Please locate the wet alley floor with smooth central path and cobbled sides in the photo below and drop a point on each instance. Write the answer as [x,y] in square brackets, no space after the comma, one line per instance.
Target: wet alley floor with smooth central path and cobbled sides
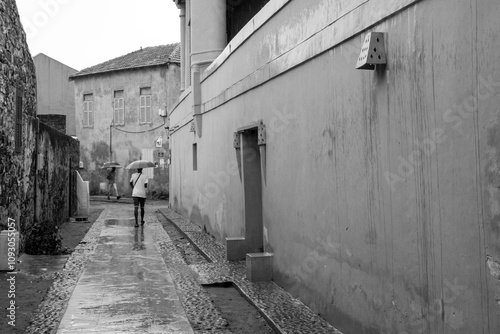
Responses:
[165,277]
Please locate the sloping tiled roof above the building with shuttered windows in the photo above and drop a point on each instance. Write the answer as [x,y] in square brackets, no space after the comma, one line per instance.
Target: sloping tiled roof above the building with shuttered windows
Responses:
[150,56]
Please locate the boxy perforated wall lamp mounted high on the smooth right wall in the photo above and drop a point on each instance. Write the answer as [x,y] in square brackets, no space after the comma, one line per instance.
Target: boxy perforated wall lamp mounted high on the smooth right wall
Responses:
[372,52]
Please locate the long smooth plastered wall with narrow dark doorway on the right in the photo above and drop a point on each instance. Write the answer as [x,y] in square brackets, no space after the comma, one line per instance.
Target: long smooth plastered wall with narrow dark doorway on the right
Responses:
[380,197]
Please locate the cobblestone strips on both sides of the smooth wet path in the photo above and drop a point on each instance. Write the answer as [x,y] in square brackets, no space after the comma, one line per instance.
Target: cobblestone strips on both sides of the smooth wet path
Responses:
[283,312]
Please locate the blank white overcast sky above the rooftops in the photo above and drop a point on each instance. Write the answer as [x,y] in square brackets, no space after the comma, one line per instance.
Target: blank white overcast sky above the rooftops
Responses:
[83,33]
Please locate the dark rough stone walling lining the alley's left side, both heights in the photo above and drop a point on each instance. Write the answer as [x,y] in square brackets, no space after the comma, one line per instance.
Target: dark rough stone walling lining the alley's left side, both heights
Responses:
[37,162]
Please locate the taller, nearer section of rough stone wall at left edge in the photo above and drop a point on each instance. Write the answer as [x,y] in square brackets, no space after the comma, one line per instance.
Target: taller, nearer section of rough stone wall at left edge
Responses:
[17,72]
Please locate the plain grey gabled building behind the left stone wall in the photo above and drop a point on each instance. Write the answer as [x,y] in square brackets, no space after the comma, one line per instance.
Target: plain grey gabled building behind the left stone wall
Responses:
[55,94]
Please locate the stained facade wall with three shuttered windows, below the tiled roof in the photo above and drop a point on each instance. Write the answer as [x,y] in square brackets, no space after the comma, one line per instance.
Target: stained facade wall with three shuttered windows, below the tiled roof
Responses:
[127,146]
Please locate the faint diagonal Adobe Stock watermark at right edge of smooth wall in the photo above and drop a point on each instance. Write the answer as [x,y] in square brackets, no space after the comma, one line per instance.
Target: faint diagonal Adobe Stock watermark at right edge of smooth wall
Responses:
[453,118]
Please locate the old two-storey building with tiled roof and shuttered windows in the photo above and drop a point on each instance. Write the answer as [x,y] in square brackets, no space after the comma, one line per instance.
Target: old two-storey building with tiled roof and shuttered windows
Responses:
[118,105]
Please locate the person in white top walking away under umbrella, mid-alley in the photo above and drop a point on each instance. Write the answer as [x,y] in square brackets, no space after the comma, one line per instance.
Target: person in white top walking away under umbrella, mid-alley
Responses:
[139,184]
